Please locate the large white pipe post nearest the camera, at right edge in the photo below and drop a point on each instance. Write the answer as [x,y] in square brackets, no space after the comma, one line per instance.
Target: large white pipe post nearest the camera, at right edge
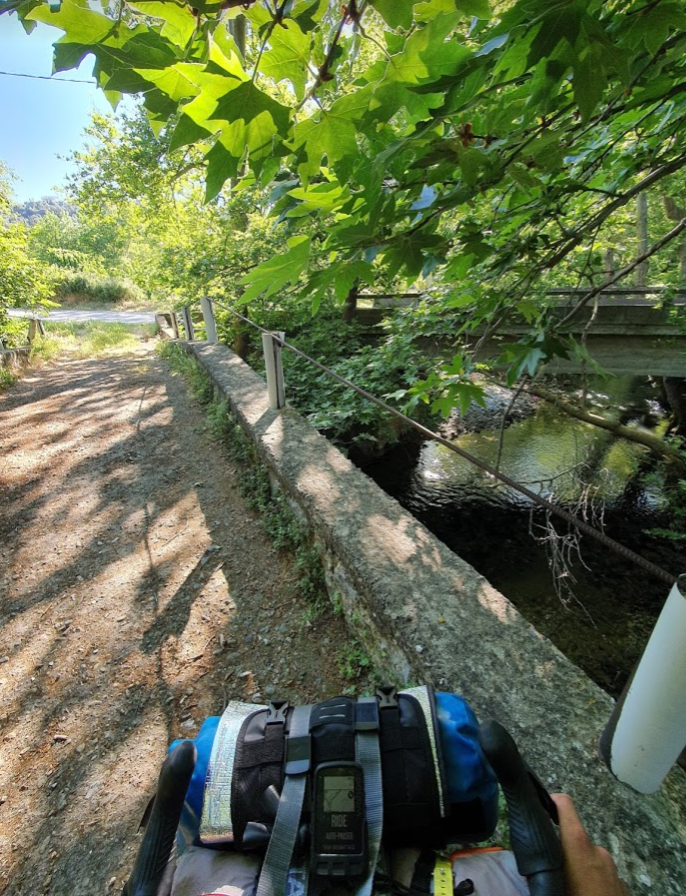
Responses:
[647,730]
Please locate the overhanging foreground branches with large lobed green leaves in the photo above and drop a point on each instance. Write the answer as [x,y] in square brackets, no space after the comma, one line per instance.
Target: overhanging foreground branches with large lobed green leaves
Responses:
[476,145]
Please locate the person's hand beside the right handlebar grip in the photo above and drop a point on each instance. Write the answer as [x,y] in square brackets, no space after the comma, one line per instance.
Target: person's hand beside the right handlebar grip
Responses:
[589,869]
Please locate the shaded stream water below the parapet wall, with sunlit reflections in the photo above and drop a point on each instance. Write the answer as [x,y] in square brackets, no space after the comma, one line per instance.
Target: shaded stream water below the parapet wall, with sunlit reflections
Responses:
[601,610]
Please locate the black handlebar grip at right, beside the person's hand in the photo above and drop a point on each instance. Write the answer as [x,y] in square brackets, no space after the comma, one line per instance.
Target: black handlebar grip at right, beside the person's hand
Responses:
[535,843]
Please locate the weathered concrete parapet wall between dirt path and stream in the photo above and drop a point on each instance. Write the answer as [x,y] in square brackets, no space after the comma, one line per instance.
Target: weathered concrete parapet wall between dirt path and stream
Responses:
[429,616]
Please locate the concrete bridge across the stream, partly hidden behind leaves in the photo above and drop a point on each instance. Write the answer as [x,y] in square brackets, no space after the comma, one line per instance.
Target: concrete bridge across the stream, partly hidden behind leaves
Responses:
[626,330]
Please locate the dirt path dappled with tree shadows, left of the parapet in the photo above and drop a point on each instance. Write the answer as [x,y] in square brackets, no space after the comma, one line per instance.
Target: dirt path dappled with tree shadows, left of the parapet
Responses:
[137,595]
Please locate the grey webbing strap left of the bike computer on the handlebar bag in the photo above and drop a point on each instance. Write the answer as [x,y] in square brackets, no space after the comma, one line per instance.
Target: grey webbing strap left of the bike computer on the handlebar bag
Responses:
[280,850]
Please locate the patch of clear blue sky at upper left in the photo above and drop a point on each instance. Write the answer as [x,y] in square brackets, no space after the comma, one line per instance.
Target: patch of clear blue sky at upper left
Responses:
[40,119]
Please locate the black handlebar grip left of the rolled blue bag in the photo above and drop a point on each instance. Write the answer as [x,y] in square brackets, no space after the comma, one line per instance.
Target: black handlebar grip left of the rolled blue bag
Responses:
[152,861]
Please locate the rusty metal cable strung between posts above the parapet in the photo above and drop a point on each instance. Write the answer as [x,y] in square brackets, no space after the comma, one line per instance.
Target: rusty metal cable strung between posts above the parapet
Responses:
[584,527]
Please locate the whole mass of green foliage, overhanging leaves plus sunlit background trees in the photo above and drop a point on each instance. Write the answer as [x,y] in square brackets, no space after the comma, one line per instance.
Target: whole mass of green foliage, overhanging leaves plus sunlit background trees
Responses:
[289,157]
